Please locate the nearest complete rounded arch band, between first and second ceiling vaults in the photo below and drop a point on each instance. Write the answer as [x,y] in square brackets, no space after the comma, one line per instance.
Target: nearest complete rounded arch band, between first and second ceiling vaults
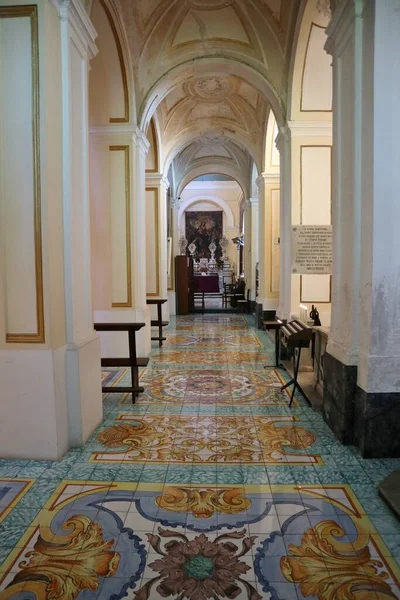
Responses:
[208,66]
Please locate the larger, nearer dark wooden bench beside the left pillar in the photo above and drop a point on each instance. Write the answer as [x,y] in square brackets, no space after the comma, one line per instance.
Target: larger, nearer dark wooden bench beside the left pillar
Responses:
[133,362]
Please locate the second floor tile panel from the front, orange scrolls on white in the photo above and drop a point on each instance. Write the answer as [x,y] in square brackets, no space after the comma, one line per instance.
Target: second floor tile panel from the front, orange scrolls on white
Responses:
[209,439]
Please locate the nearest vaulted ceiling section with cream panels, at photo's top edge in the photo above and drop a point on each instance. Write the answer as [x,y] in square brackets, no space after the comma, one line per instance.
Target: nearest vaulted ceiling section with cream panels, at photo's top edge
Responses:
[164,35]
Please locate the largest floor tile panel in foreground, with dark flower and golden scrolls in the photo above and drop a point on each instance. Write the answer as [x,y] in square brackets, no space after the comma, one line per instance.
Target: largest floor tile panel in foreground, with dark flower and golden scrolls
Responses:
[147,542]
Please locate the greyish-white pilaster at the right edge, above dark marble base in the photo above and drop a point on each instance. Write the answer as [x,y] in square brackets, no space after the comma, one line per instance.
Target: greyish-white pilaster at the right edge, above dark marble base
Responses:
[379,310]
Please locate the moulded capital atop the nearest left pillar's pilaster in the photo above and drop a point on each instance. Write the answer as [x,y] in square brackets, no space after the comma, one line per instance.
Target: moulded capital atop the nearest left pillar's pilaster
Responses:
[74,14]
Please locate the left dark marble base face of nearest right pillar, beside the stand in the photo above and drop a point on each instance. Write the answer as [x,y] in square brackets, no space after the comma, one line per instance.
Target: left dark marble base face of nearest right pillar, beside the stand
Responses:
[339,397]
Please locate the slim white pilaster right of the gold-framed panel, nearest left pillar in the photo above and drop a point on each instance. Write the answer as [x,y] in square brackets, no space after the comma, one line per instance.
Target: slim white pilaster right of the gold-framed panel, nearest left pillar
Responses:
[83,347]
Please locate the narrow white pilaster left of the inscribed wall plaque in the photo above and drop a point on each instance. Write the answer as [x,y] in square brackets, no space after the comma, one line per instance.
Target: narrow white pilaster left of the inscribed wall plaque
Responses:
[284,146]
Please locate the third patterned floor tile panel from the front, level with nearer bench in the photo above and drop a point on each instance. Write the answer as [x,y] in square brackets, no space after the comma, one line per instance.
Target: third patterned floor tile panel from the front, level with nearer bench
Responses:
[214,386]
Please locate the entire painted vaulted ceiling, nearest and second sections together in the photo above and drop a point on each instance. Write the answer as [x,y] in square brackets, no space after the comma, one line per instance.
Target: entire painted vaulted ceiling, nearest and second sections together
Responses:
[210,70]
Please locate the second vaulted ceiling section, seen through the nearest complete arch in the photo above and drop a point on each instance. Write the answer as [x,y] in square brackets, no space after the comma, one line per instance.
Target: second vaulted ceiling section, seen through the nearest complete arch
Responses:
[217,113]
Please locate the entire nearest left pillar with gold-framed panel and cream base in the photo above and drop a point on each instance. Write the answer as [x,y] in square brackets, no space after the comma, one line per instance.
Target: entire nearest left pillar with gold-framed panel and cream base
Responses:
[49,353]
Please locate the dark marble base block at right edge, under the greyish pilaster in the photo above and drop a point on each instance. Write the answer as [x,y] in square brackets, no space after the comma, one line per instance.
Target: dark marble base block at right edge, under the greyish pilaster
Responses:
[377,424]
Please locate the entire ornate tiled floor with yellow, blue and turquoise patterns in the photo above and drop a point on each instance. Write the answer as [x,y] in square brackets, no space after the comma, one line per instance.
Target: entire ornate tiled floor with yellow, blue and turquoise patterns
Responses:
[208,487]
